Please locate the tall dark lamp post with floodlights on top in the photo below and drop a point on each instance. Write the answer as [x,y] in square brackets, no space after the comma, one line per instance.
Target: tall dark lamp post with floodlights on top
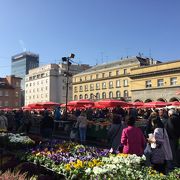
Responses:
[67,74]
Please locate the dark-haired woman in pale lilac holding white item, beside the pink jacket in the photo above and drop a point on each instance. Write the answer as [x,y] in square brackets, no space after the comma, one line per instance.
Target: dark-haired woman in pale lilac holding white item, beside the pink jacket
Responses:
[161,150]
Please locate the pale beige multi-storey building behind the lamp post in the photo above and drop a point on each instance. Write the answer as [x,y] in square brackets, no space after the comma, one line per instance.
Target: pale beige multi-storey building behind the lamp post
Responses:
[48,83]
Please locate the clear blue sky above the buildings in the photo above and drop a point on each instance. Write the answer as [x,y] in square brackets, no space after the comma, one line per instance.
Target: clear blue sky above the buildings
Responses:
[95,31]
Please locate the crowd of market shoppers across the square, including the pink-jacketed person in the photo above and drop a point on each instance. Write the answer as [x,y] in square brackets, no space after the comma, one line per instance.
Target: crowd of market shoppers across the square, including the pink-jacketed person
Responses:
[161,134]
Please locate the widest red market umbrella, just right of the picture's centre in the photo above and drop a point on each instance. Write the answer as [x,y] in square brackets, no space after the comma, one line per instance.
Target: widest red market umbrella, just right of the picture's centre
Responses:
[112,103]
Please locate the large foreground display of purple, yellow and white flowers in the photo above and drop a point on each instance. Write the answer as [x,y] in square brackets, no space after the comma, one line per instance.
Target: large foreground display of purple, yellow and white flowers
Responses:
[76,161]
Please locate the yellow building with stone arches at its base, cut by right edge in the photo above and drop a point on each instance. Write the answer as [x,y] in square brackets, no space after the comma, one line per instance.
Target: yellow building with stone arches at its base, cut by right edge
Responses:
[158,82]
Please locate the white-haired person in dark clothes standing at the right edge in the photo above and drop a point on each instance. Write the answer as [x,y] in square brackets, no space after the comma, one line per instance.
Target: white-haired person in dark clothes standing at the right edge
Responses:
[173,130]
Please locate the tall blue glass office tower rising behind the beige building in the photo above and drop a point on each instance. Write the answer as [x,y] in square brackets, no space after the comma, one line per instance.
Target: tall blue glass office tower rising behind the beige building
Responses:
[20,66]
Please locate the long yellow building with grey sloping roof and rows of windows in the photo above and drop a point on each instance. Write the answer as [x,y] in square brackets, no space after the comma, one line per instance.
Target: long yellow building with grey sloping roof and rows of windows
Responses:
[110,80]
